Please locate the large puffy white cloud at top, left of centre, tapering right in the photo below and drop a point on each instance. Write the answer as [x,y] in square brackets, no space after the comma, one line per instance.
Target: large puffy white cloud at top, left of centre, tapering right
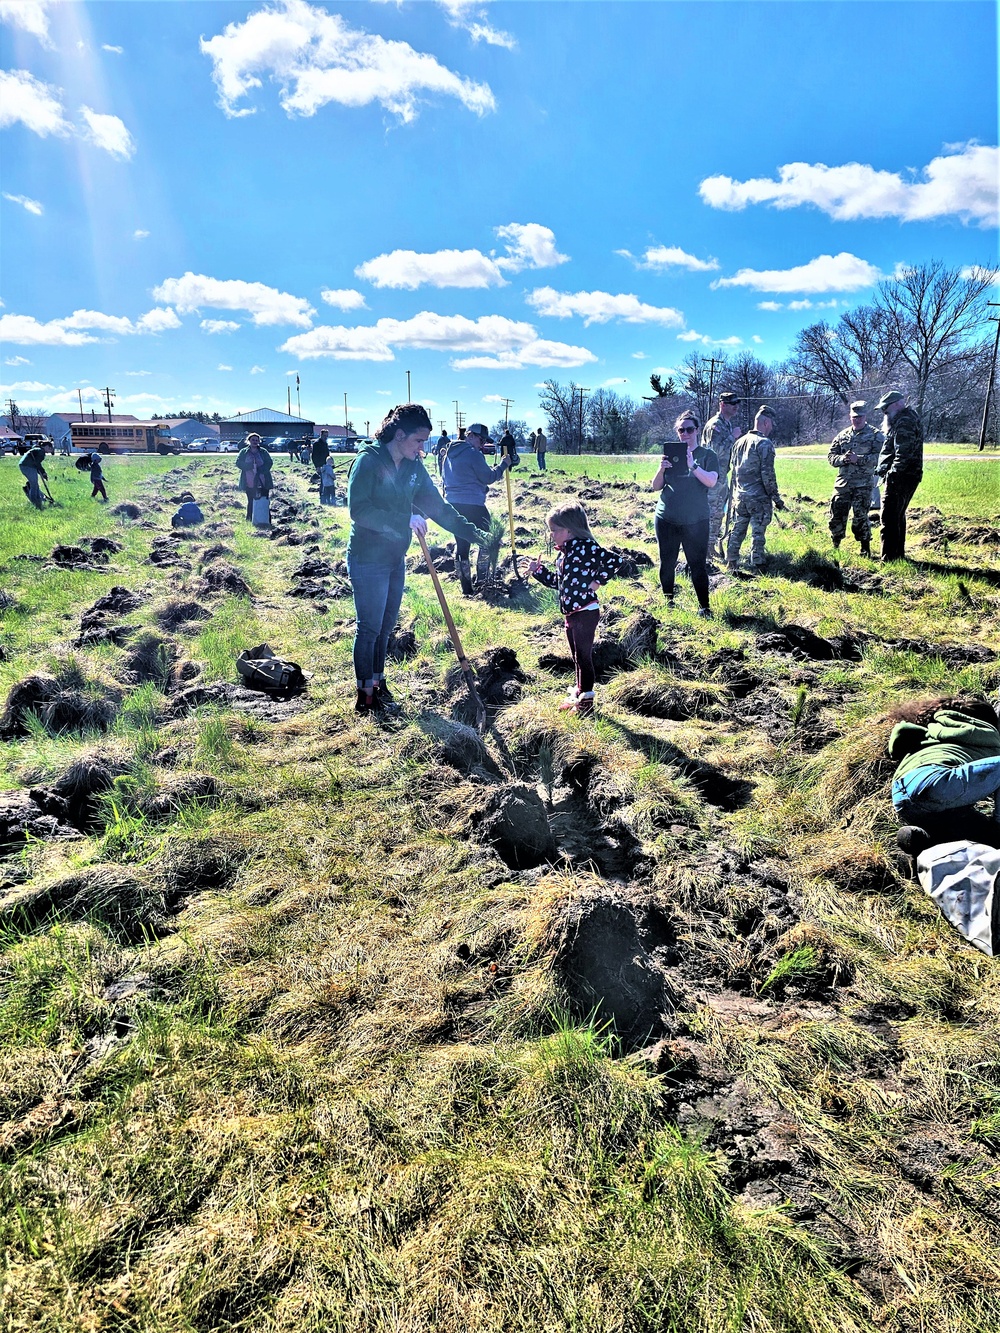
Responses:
[317,58]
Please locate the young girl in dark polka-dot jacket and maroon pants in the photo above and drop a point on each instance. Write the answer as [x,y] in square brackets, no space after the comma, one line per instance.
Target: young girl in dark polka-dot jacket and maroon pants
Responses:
[582,569]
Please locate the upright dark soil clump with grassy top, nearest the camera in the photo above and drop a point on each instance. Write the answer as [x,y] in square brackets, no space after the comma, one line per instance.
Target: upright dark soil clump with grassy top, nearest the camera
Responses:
[610,952]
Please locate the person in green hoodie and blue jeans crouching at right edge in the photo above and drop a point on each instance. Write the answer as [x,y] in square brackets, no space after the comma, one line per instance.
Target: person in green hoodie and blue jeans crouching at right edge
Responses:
[947,755]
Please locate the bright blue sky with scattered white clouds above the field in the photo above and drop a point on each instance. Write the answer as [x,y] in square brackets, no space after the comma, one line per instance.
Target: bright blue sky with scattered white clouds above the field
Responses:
[203,201]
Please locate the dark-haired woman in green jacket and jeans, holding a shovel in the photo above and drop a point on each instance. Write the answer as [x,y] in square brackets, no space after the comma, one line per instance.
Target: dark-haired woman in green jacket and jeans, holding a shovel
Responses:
[387,485]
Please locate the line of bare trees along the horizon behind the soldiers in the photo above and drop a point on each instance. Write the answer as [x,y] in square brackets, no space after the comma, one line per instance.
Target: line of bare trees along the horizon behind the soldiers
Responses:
[927,331]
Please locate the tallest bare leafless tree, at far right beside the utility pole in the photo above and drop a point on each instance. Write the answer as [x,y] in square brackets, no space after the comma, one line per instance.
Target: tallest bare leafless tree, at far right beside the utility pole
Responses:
[937,317]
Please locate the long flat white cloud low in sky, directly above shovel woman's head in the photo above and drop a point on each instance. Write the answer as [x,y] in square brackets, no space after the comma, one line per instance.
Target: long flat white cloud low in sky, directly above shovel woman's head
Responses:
[507,343]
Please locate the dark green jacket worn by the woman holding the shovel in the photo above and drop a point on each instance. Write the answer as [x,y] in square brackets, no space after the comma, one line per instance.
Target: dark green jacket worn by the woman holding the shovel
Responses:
[383,498]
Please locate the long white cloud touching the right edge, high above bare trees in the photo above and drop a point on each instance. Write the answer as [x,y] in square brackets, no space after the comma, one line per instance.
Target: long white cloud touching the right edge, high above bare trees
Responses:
[962,183]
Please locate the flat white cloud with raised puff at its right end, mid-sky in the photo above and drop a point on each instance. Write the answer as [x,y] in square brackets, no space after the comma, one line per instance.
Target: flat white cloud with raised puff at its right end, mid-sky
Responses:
[527,245]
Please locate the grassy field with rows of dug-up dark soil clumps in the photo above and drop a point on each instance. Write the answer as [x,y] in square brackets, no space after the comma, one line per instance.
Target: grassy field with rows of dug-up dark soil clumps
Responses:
[295,1036]
